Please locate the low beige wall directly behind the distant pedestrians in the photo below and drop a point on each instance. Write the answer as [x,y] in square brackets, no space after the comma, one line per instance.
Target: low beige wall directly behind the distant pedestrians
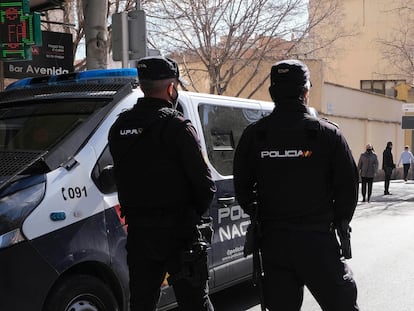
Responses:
[364,117]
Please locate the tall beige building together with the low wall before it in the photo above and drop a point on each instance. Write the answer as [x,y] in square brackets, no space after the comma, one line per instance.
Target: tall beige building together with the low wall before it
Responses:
[361,65]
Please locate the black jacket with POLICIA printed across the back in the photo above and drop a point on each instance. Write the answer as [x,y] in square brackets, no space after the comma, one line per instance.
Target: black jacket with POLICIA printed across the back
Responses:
[301,167]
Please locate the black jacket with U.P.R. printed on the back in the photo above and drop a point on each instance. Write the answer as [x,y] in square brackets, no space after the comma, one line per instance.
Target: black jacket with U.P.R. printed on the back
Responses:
[160,172]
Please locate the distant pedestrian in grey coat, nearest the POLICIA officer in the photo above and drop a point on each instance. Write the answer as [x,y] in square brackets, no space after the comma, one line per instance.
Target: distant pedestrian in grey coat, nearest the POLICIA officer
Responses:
[367,167]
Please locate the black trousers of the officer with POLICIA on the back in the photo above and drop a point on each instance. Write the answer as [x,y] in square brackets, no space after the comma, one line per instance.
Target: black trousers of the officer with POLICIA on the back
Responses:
[293,259]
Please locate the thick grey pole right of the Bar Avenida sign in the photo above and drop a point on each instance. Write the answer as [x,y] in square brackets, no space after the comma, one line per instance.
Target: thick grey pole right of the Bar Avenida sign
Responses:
[96,34]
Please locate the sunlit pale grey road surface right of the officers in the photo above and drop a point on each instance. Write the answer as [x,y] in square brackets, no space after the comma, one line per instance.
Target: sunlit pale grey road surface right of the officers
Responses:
[370,265]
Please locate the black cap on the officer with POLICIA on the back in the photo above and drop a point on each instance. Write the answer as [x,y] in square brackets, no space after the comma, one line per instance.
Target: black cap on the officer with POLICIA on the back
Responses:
[289,72]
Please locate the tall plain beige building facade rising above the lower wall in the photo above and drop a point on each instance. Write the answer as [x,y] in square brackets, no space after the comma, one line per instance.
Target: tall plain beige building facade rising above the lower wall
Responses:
[360,55]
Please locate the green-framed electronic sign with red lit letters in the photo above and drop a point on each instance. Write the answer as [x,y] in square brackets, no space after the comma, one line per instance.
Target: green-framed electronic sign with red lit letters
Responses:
[19,29]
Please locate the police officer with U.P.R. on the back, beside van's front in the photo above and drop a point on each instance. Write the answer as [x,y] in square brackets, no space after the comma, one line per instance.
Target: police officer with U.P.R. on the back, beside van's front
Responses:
[164,187]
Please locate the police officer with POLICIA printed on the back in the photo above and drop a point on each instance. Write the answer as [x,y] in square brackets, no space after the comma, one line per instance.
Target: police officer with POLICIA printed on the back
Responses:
[300,174]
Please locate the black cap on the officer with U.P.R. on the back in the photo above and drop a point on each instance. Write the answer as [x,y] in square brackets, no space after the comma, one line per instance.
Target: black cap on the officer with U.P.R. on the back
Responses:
[157,68]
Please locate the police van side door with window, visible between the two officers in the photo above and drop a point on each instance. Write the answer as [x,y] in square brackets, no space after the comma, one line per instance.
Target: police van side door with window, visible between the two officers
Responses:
[222,122]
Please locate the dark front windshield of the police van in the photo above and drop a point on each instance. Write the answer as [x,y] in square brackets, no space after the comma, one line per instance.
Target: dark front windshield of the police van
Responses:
[41,125]
